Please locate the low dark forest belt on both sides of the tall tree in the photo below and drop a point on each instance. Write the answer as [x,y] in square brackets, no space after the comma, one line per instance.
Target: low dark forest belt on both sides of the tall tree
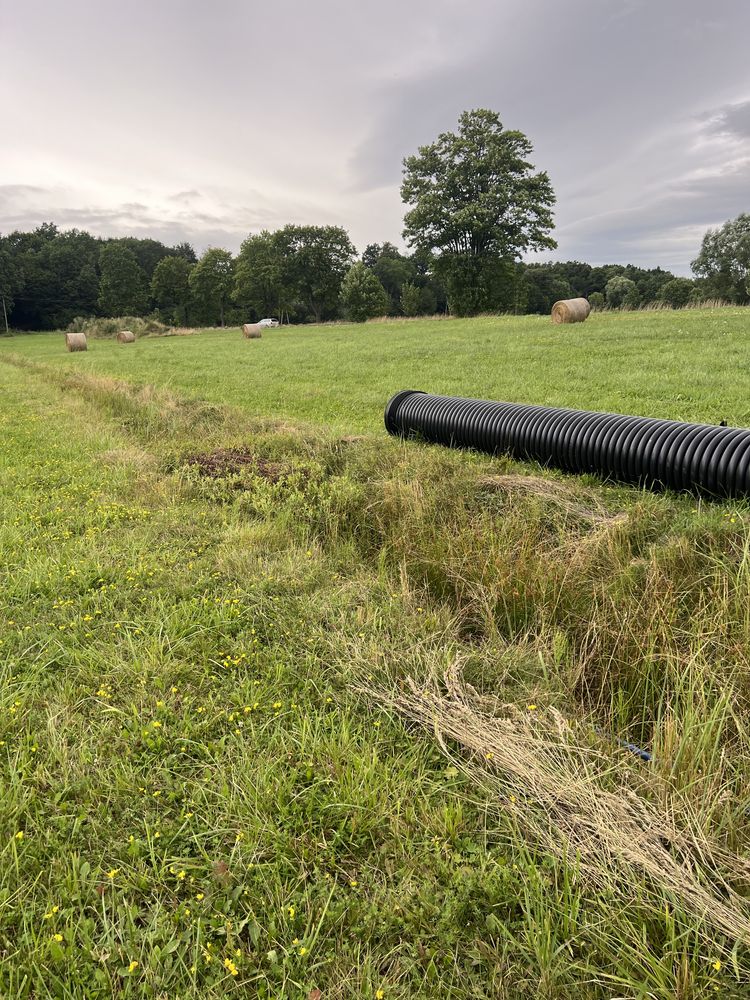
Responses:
[298,274]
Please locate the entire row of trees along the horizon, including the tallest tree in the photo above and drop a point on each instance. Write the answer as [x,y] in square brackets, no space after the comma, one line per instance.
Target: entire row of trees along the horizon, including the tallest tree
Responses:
[475,206]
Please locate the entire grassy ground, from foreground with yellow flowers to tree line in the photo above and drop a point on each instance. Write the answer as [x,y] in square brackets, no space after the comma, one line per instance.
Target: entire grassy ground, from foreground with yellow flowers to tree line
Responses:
[289,707]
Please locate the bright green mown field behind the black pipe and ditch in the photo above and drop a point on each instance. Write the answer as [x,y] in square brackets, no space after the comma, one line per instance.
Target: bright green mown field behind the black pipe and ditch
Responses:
[687,365]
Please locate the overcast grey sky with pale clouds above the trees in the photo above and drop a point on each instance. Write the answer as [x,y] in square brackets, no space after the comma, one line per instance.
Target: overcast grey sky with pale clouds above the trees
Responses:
[182,119]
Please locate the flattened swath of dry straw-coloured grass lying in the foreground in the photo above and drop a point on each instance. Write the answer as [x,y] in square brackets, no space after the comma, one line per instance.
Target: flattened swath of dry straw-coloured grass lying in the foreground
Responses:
[572,799]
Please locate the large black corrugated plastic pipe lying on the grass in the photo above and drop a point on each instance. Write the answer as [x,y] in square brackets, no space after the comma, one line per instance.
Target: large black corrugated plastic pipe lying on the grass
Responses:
[668,453]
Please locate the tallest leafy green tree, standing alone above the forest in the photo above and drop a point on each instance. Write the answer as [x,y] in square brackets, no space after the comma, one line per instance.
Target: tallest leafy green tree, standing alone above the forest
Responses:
[474,197]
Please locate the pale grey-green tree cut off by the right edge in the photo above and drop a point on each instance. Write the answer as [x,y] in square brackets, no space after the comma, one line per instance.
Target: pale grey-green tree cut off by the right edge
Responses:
[724,260]
